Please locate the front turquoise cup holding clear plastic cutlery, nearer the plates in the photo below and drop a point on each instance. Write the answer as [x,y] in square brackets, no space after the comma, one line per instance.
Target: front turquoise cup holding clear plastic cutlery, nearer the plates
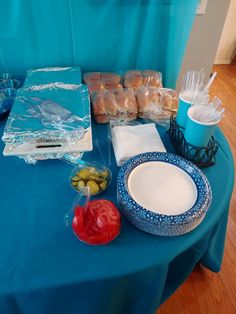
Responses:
[198,133]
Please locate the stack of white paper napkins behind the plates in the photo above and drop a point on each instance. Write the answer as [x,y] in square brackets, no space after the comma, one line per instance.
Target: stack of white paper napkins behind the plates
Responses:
[129,141]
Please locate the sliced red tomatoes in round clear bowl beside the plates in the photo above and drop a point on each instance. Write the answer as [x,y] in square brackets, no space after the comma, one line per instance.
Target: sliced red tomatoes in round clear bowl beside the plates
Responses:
[100,223]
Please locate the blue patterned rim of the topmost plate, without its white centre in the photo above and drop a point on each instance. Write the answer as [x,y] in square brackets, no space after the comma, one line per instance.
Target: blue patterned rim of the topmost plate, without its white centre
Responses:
[200,206]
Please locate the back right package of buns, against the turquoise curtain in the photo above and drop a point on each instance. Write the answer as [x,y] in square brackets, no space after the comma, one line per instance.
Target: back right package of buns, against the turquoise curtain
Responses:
[136,78]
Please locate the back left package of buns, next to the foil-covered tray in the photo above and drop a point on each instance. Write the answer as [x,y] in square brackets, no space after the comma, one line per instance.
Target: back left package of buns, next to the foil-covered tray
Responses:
[98,81]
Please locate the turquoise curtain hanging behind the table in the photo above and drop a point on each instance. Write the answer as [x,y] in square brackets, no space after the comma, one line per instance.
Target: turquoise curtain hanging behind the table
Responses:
[95,34]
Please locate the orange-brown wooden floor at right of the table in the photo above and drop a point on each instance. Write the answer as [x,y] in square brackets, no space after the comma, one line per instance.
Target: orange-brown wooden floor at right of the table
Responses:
[205,292]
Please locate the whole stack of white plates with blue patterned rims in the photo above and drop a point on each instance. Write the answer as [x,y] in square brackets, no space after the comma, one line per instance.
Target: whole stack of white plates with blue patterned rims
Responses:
[163,194]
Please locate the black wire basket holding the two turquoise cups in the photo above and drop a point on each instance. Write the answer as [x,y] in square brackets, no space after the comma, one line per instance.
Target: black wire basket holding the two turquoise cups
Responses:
[200,156]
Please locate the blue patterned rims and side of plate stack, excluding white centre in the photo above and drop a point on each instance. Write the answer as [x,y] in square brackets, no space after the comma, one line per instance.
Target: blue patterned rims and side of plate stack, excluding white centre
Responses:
[160,224]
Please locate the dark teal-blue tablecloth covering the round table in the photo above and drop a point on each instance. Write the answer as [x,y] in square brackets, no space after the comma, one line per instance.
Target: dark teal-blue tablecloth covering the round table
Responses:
[45,269]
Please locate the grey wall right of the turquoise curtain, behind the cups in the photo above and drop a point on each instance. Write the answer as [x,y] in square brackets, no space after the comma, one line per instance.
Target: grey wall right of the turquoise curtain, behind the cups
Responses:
[204,38]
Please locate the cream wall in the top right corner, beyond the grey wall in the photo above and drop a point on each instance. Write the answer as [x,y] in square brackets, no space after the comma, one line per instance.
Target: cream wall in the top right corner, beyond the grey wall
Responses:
[227,46]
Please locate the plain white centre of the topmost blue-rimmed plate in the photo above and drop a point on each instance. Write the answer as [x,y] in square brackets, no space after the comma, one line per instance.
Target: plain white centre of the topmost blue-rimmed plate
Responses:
[162,188]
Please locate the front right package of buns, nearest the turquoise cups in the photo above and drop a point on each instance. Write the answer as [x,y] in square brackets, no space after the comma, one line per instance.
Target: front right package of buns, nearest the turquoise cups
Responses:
[156,104]
